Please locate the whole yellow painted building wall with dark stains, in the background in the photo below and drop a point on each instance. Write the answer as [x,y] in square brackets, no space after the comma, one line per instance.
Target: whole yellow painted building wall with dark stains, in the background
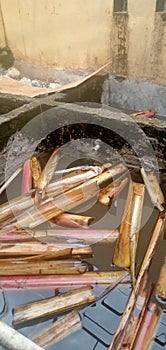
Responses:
[85,34]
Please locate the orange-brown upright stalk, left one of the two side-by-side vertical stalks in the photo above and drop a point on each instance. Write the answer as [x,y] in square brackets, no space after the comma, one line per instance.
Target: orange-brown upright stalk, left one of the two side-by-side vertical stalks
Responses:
[121,256]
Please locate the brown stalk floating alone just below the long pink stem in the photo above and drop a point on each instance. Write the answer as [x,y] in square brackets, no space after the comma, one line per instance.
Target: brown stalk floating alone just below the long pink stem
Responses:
[63,302]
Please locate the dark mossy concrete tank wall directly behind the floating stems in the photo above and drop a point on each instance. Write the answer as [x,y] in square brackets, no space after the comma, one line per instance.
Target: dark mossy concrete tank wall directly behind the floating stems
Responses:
[49,123]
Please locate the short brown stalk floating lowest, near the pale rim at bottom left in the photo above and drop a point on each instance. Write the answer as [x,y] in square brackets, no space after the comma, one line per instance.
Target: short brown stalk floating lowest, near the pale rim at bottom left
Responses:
[60,329]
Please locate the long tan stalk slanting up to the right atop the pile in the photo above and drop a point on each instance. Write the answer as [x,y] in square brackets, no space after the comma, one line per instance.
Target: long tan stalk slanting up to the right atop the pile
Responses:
[68,200]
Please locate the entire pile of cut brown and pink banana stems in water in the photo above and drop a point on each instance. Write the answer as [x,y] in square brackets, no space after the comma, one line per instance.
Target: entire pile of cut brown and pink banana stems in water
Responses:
[31,256]
